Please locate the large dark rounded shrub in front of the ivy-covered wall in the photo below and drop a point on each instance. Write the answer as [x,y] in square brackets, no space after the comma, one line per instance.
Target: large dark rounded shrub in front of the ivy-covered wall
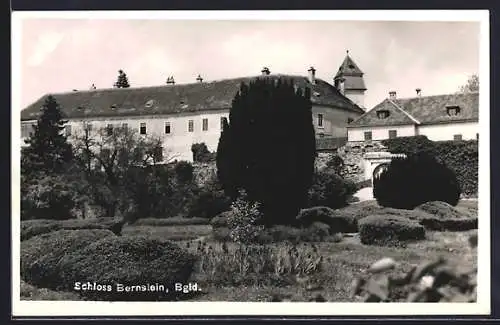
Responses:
[409,182]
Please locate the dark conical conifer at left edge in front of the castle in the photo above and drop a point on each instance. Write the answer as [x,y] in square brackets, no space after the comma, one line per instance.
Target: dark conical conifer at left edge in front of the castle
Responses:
[48,150]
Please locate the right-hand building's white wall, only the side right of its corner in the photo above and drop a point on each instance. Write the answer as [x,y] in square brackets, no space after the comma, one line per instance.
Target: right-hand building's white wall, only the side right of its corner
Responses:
[444,132]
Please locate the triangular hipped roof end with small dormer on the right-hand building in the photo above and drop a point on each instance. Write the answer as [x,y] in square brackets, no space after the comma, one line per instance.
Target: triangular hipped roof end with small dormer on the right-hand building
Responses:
[376,116]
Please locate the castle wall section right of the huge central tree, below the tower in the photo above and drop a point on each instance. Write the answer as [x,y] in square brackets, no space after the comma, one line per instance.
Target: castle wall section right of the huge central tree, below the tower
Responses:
[334,120]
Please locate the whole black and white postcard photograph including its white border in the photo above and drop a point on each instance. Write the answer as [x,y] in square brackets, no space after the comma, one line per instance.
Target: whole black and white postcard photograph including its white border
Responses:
[250,163]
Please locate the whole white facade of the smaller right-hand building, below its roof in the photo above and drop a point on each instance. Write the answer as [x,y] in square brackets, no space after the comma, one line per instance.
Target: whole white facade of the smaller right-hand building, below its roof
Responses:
[434,132]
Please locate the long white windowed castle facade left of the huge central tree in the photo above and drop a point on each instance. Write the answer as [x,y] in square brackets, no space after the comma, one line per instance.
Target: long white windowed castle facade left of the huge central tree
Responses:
[177,143]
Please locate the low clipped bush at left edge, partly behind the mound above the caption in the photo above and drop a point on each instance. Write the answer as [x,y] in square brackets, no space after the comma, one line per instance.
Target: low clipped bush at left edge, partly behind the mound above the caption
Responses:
[40,255]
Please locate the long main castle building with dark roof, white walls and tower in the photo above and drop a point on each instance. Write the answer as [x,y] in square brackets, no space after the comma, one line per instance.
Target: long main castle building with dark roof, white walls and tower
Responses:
[184,114]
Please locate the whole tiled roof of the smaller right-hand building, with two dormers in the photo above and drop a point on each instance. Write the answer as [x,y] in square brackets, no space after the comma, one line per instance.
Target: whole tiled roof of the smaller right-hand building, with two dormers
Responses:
[423,110]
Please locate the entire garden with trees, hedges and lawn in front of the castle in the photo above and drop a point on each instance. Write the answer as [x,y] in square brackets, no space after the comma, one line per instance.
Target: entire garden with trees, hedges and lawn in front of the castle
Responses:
[267,226]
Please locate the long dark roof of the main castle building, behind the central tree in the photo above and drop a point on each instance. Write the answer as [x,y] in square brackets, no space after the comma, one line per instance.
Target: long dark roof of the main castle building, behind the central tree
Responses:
[172,99]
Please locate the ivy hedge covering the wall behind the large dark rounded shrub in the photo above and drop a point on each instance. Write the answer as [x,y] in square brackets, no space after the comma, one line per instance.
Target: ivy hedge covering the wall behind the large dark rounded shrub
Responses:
[460,156]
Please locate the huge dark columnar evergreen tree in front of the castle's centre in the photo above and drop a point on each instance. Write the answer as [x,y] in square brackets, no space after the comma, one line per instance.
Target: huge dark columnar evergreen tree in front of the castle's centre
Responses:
[268,147]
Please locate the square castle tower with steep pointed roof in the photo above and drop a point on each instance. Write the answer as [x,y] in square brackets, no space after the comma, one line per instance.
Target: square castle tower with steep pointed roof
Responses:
[349,81]
